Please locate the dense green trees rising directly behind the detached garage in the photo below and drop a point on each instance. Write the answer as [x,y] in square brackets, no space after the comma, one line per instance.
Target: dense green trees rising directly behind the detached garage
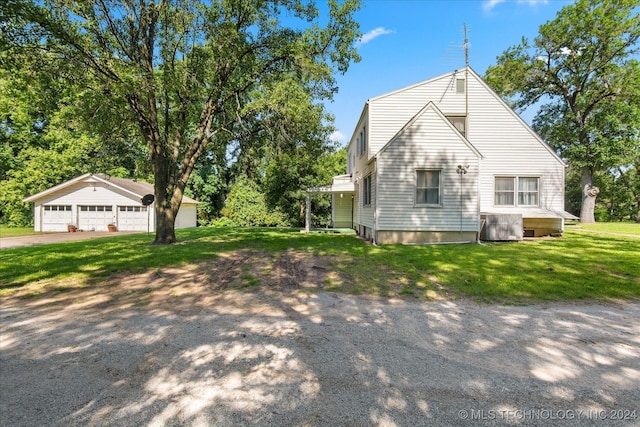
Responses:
[44,139]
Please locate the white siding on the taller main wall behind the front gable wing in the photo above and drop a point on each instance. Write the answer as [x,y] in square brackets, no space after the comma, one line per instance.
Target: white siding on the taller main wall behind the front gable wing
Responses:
[507,145]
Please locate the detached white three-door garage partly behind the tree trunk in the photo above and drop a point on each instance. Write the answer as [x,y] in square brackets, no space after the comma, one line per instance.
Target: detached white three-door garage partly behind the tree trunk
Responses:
[92,201]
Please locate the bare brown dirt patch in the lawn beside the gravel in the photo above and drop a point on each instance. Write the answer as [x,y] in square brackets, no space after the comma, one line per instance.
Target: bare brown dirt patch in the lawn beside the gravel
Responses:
[190,286]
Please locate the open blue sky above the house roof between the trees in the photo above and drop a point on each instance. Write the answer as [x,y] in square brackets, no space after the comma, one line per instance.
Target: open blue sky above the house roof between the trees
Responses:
[408,41]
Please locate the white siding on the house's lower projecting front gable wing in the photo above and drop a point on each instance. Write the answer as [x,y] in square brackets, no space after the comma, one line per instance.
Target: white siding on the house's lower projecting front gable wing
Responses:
[429,144]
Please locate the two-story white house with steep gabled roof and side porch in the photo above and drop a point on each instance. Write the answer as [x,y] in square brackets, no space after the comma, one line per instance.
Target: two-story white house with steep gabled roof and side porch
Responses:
[446,160]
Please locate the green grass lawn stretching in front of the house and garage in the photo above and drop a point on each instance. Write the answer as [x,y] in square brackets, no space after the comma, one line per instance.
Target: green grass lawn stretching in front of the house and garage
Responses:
[577,266]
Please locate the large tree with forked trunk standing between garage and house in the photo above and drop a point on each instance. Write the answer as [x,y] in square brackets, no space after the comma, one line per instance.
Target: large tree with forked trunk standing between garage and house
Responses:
[188,72]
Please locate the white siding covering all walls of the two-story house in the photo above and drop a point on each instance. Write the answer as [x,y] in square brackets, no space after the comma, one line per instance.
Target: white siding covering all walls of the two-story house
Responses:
[508,148]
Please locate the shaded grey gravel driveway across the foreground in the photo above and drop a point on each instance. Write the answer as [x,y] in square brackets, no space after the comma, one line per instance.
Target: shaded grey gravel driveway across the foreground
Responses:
[318,359]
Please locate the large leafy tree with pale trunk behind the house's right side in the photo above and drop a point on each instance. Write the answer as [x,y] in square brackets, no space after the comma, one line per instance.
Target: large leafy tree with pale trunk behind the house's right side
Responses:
[581,68]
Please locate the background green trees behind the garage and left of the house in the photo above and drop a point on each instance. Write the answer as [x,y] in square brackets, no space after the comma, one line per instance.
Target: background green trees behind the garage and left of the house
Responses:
[46,141]
